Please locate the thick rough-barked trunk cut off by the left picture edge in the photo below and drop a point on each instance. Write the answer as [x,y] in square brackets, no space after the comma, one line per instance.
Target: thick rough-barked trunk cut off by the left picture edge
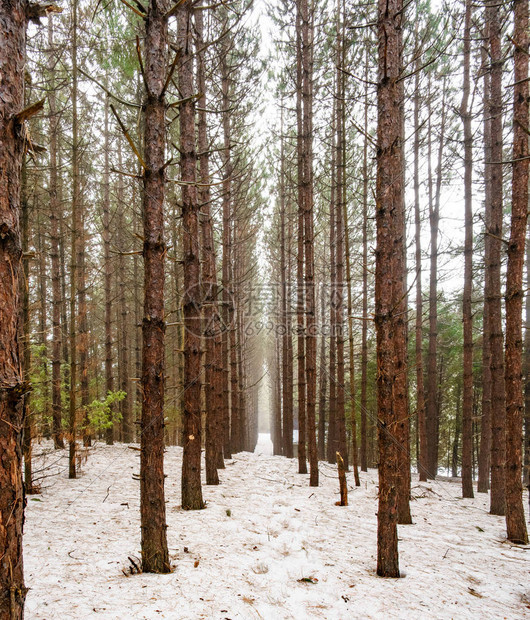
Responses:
[12,388]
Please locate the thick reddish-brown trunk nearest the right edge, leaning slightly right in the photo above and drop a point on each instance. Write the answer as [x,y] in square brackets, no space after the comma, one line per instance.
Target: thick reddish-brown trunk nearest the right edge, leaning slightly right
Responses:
[515,517]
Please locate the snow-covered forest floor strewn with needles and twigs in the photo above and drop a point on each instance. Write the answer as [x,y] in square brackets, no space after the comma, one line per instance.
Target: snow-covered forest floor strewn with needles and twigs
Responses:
[267,546]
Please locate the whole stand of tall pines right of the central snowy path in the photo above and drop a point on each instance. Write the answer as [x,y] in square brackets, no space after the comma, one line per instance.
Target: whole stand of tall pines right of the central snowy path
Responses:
[450,406]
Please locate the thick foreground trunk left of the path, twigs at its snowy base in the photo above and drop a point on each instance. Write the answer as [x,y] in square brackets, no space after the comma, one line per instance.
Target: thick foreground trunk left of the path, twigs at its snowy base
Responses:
[155,558]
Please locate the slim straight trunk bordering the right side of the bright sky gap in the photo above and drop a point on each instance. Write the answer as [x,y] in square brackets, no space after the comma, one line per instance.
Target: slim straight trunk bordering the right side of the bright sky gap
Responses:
[467,402]
